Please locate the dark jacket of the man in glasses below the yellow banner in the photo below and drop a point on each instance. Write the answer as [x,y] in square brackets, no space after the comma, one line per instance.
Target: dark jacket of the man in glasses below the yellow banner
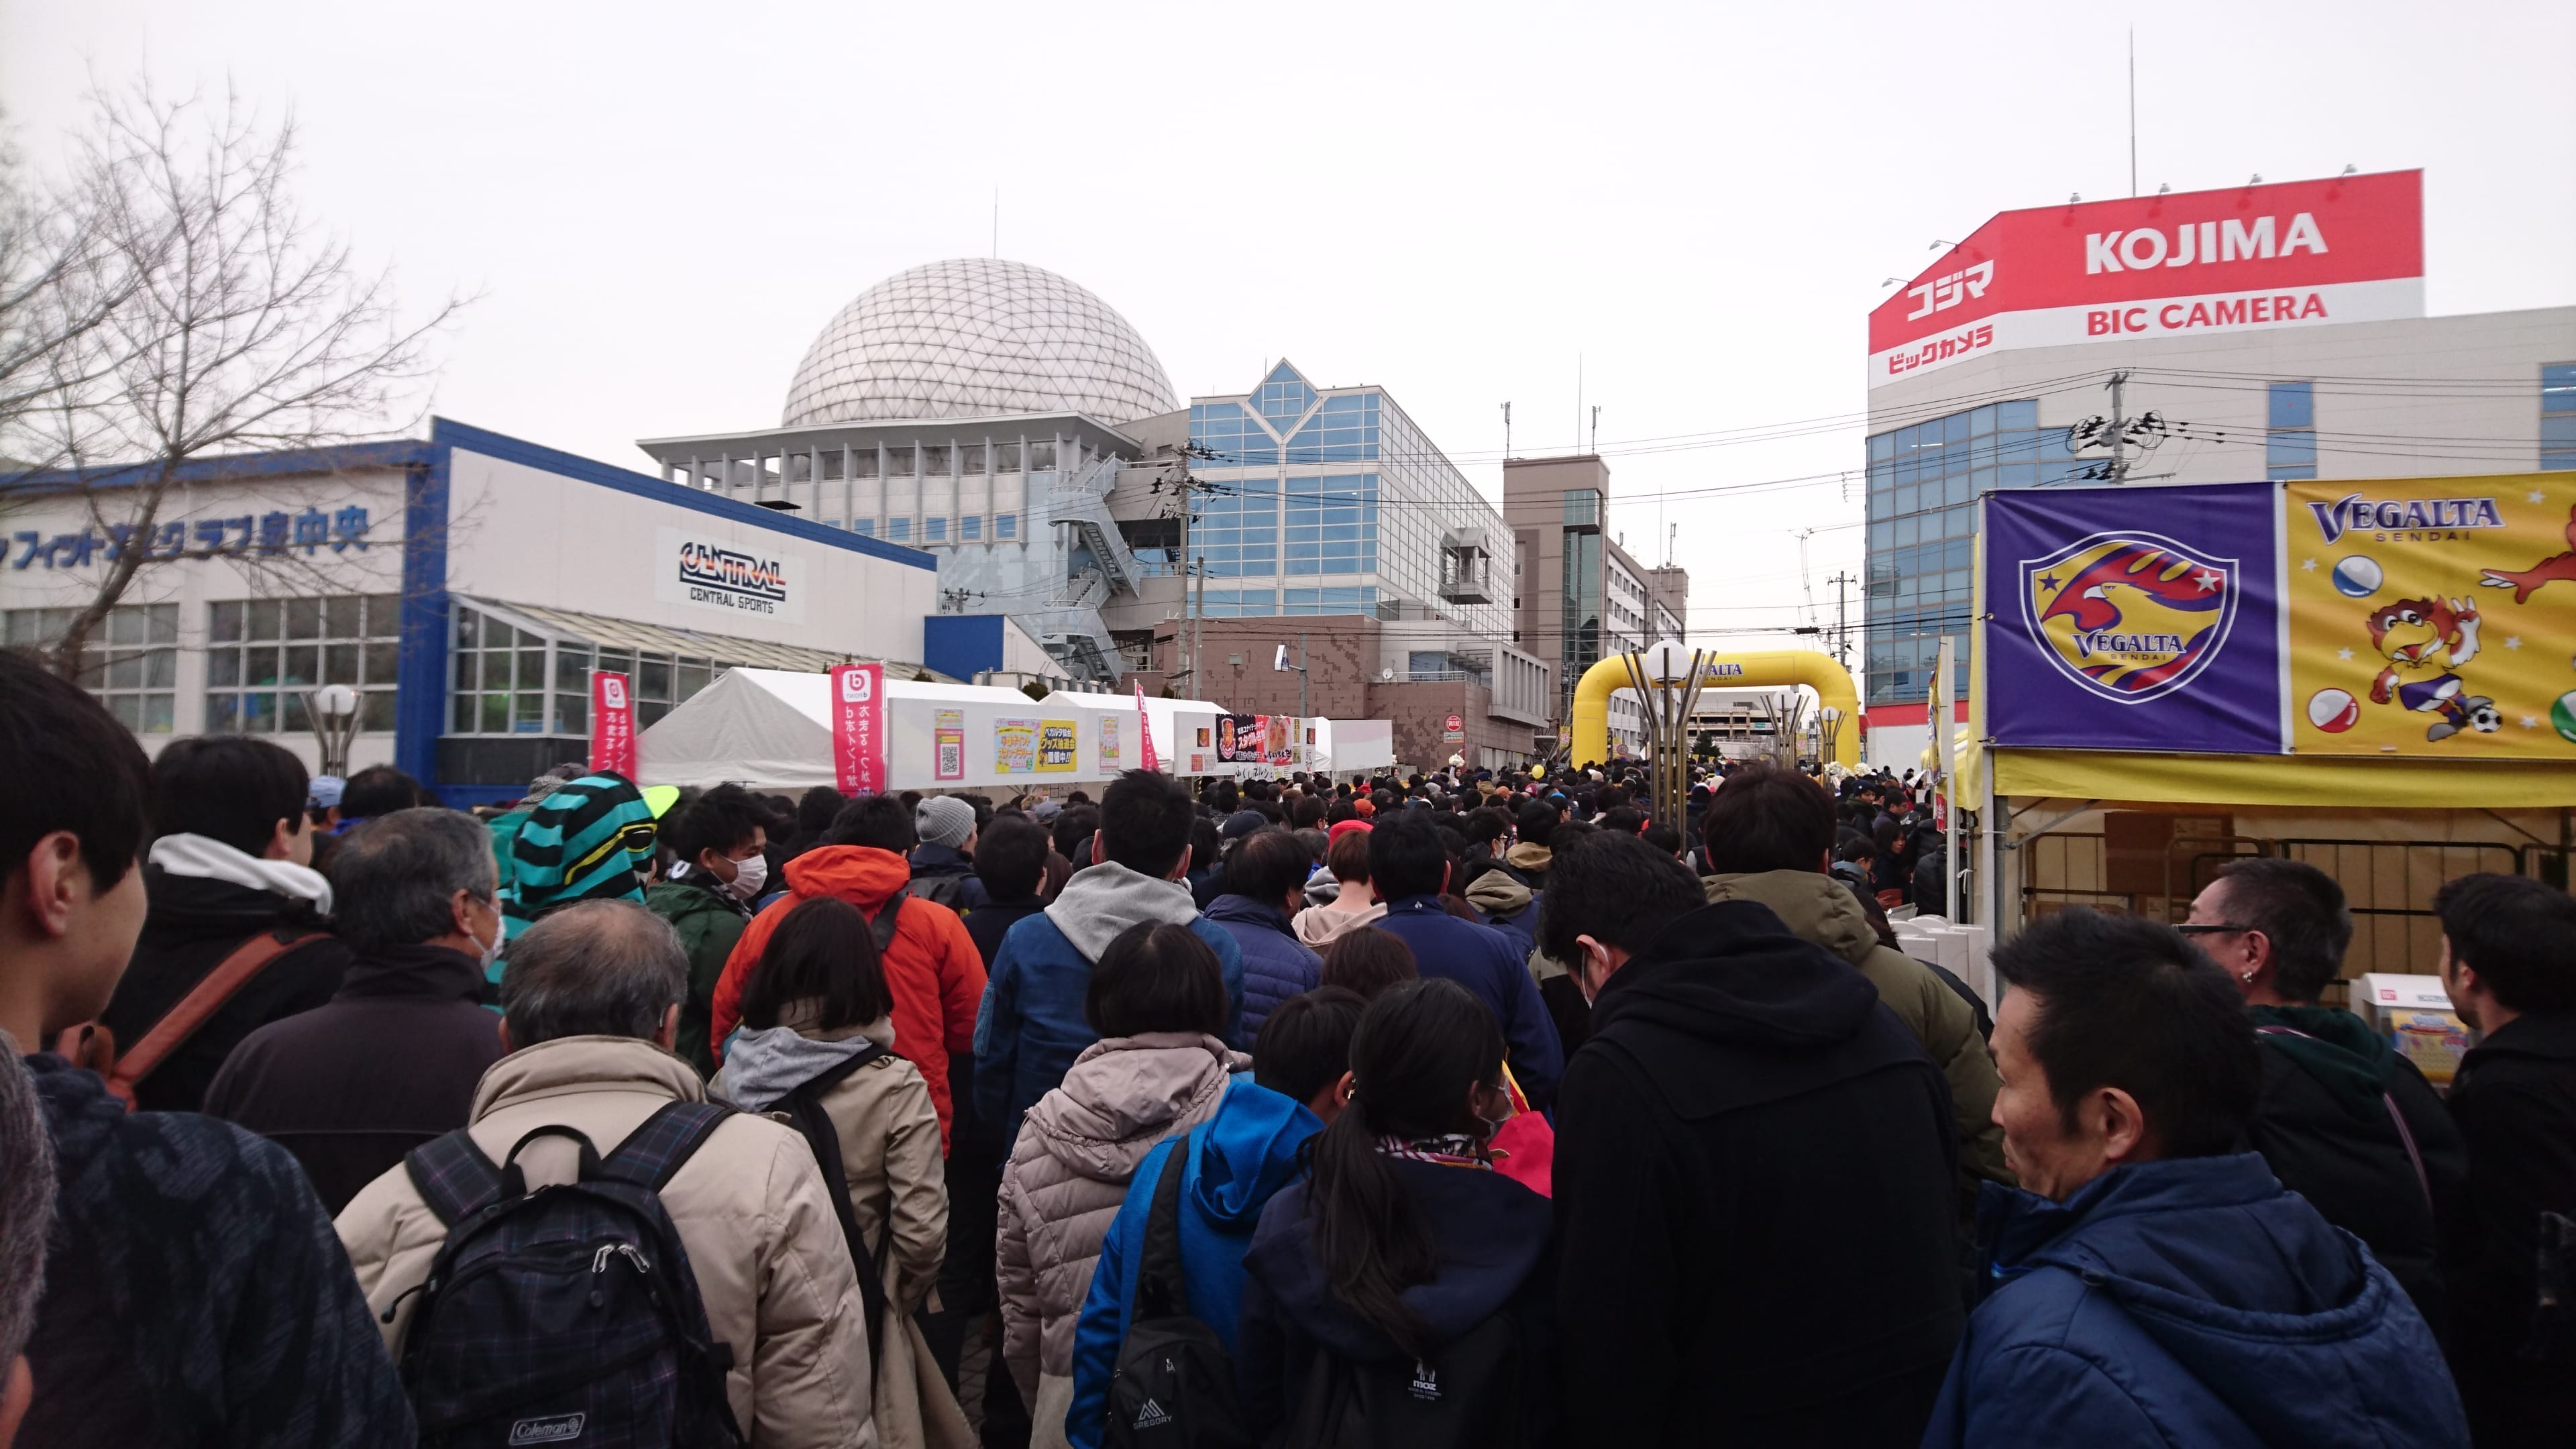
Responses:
[2325,1131]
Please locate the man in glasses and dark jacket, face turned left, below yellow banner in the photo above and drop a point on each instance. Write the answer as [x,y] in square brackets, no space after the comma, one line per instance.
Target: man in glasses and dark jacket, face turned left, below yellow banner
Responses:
[2343,1120]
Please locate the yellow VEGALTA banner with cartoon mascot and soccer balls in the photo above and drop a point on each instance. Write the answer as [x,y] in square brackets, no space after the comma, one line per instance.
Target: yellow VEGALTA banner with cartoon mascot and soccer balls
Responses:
[2433,618]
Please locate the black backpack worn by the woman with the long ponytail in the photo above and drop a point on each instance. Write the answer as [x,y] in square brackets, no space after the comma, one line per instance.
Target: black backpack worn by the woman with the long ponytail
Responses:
[1464,1396]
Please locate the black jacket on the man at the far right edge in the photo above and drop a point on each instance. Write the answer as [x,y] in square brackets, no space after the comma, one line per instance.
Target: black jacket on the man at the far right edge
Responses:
[2515,1102]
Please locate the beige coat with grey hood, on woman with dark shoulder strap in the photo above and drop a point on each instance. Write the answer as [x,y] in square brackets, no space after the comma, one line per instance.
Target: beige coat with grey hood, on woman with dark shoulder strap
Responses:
[890,1151]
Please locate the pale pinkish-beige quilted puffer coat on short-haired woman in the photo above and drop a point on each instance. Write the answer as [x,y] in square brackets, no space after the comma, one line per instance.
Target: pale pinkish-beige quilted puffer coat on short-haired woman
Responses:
[1070,1172]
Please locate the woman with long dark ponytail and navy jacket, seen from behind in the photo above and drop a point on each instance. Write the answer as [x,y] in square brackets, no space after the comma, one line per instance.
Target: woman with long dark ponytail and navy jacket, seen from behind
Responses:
[1400,1296]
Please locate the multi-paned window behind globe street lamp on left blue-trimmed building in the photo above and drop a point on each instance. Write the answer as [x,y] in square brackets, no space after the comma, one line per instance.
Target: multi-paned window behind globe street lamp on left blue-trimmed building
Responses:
[264,654]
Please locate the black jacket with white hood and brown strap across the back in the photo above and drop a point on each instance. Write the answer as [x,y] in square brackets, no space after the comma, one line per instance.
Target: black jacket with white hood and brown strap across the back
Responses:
[189,929]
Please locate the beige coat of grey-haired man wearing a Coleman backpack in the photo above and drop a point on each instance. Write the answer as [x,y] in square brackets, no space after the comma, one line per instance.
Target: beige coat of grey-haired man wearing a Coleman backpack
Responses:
[751,1211]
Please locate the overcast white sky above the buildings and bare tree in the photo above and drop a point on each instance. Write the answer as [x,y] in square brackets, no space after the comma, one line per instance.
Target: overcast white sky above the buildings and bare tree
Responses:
[661,205]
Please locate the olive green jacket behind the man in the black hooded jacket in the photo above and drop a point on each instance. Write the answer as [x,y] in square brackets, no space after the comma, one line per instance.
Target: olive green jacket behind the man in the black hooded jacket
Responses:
[1820,909]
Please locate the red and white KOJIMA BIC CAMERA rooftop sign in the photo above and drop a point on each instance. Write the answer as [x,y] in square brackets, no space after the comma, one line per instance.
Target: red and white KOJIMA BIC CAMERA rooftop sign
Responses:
[2165,267]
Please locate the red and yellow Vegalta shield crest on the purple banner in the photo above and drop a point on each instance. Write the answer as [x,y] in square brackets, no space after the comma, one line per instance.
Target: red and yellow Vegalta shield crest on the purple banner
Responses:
[2129,615]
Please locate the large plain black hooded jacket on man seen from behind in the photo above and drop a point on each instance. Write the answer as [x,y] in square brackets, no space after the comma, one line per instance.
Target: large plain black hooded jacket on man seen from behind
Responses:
[1756,1200]
